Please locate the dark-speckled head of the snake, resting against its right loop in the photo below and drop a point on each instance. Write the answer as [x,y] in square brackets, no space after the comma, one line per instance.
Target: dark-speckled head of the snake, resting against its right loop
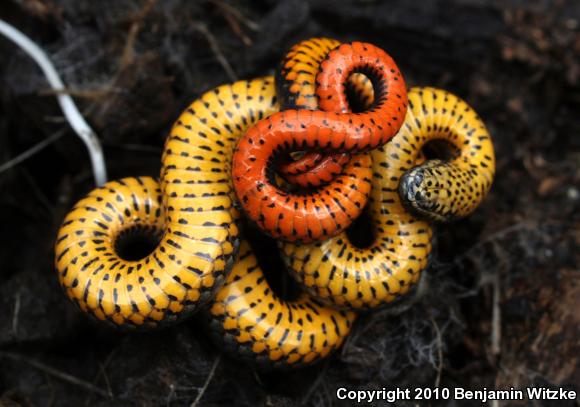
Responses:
[428,191]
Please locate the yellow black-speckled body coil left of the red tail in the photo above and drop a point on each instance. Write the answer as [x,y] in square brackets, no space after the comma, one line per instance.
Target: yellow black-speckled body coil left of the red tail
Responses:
[196,219]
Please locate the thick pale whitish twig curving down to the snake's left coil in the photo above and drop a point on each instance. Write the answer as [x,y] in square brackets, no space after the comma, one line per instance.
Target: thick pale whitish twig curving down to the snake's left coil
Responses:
[67,104]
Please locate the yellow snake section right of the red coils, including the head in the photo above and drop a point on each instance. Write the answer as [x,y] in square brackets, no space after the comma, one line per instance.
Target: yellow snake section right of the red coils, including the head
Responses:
[348,276]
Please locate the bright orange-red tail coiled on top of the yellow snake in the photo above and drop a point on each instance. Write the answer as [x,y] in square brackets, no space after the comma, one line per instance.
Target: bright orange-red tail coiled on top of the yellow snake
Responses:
[327,210]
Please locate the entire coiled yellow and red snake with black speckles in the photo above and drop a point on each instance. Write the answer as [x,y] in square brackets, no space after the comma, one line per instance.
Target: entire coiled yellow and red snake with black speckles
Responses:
[193,214]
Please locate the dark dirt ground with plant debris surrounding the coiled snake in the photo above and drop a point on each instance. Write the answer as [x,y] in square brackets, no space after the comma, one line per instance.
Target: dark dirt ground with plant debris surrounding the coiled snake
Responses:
[503,290]
